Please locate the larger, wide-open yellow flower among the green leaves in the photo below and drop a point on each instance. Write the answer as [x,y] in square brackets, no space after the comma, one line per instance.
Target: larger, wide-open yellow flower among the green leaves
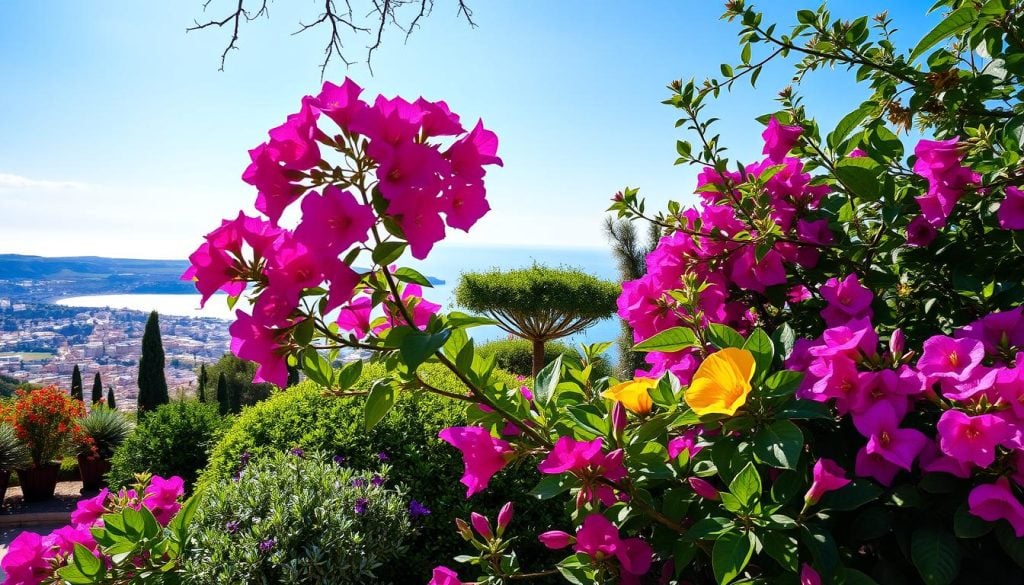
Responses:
[722,383]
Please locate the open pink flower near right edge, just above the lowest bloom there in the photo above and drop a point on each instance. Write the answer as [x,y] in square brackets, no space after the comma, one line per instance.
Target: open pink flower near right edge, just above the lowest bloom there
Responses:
[972,439]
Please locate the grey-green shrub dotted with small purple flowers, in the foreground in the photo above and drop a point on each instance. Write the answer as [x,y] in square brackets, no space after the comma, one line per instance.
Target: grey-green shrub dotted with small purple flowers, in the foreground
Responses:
[297,519]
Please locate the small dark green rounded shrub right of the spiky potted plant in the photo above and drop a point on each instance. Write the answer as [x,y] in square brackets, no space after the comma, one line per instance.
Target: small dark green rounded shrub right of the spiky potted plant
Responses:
[175,440]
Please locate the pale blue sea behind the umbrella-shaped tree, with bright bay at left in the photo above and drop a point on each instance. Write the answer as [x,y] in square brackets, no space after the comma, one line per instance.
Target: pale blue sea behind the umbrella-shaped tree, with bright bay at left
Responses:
[446,264]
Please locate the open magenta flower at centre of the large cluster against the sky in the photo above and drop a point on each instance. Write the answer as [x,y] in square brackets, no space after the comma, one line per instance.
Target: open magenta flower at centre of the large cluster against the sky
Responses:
[333,222]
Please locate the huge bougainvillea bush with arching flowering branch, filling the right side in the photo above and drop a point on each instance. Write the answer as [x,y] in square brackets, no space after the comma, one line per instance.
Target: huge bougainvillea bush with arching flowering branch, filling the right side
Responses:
[833,395]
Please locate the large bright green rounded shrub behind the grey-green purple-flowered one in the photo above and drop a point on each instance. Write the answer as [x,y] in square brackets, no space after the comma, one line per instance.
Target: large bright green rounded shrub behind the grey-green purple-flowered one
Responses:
[305,417]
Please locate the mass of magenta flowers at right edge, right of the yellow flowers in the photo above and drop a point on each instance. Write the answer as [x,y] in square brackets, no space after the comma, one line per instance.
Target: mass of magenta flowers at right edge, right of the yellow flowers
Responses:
[975,379]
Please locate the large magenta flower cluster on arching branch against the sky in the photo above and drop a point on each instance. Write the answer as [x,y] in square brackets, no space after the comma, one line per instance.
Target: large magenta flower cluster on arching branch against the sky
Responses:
[392,159]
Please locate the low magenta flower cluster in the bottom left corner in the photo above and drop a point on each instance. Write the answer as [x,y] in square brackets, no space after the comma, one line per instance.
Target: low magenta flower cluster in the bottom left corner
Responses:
[33,559]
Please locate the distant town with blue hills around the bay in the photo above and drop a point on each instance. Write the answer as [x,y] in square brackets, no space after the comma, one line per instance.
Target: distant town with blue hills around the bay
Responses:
[42,343]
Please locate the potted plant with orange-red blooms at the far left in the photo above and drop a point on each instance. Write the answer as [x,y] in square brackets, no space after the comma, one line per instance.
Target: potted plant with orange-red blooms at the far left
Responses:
[48,422]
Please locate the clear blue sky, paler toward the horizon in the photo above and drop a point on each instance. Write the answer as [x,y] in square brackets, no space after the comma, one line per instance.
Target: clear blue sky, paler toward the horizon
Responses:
[121,138]
